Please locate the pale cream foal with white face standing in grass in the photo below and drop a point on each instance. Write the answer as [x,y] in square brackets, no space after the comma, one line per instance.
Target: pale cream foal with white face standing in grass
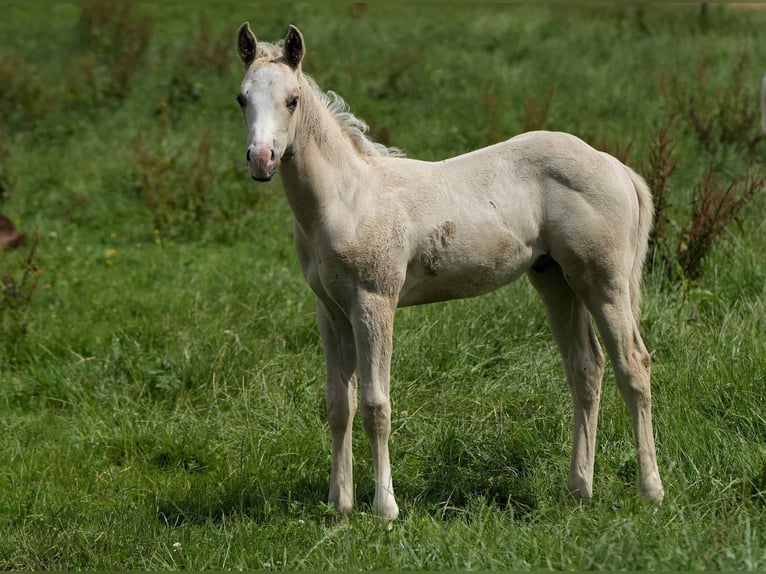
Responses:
[374,232]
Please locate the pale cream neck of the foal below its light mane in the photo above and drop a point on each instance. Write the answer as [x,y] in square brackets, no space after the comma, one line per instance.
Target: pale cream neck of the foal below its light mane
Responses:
[325,168]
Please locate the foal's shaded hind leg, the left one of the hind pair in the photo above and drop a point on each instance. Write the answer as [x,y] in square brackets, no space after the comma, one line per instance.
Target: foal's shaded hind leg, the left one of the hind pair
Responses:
[583,365]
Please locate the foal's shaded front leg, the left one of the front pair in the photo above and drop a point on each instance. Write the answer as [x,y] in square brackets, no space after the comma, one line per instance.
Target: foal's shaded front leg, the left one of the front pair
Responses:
[340,397]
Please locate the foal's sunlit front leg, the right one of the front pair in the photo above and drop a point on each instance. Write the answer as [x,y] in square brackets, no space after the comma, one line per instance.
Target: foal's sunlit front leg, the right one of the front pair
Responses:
[373,321]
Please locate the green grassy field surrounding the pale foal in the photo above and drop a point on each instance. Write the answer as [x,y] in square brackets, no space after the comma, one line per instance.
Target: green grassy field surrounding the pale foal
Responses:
[161,376]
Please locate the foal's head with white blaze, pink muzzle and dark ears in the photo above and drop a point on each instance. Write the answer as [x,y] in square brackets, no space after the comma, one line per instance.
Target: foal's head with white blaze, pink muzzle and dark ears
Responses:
[269,97]
